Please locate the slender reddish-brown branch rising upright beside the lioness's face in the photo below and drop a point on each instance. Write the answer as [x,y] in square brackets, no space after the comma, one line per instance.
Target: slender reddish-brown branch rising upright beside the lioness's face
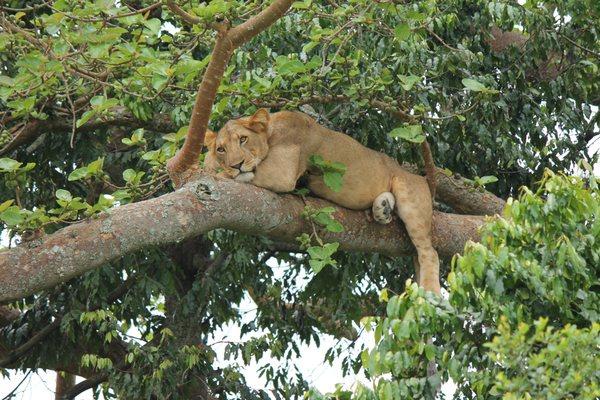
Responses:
[227,41]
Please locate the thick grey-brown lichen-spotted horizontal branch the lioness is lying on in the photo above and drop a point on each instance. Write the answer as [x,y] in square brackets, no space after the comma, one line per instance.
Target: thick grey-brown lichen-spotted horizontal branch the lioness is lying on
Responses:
[200,206]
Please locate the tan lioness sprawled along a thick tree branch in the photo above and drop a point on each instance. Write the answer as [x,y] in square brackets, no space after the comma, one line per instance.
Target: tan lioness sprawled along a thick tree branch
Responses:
[272,151]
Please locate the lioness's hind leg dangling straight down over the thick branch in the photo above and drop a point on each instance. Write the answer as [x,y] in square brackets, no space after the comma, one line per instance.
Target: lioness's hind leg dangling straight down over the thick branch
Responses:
[413,205]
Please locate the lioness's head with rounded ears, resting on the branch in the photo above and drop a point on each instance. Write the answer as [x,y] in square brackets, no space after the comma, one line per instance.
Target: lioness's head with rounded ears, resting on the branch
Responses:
[241,144]
